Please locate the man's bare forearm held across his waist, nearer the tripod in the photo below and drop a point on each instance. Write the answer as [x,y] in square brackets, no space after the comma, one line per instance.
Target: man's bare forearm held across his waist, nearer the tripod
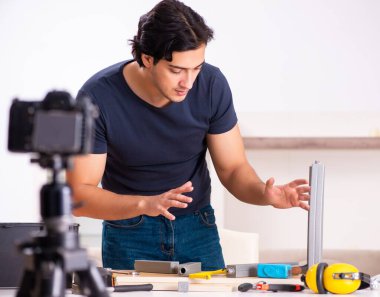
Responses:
[102,204]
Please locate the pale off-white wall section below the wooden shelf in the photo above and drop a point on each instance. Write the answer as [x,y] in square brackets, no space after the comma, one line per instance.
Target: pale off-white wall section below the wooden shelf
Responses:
[351,201]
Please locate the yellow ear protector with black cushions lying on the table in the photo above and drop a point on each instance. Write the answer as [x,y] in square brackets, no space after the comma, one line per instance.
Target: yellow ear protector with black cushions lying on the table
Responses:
[339,278]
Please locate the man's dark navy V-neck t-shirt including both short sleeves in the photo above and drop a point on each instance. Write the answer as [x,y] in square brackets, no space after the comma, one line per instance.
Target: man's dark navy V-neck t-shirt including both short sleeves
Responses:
[151,150]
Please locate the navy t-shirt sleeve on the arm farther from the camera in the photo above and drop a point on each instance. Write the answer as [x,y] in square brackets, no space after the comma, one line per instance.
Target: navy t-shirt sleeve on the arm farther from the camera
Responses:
[223,116]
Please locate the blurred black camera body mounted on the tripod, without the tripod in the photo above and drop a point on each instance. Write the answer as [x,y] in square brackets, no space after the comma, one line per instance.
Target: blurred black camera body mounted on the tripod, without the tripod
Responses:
[56,125]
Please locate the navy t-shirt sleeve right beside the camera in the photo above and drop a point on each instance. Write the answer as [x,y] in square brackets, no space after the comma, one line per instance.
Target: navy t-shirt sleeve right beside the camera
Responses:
[100,139]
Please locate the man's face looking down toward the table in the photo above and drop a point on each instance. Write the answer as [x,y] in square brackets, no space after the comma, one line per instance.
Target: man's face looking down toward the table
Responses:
[174,79]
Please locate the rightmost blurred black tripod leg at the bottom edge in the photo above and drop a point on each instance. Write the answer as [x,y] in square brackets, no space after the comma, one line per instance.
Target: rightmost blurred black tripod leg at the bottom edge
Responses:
[92,283]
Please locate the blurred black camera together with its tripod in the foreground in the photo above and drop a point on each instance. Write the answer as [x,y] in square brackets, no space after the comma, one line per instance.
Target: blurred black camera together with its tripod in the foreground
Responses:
[55,128]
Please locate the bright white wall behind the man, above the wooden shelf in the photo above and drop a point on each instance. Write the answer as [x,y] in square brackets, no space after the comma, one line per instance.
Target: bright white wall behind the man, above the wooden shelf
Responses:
[301,56]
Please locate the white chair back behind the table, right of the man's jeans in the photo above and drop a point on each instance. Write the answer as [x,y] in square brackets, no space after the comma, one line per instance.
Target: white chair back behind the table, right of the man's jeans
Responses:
[239,247]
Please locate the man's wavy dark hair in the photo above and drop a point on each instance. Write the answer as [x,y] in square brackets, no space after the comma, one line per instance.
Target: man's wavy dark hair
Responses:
[169,26]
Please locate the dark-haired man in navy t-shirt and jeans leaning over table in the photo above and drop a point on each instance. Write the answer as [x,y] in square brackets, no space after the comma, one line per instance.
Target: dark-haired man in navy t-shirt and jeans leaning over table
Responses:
[159,113]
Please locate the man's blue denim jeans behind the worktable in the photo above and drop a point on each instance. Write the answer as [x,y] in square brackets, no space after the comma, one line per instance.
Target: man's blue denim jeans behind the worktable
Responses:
[189,238]
